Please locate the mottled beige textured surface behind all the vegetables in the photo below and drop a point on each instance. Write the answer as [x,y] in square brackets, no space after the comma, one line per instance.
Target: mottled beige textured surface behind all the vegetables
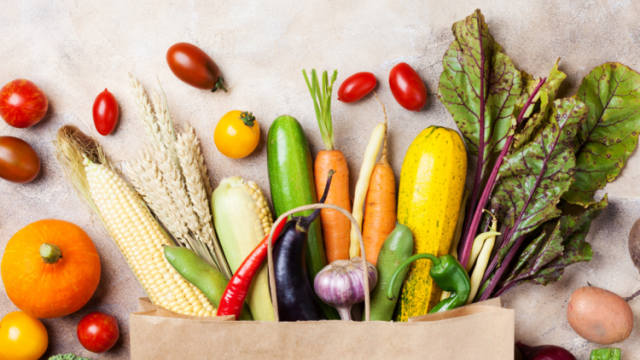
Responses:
[74,49]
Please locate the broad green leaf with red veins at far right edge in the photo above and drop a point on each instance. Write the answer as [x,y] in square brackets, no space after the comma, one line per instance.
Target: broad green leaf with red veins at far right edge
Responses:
[610,133]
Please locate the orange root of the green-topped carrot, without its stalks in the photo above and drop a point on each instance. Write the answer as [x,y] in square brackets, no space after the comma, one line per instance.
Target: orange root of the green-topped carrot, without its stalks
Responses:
[335,226]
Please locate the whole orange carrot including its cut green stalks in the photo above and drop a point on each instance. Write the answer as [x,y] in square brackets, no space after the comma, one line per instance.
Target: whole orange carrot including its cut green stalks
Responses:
[336,228]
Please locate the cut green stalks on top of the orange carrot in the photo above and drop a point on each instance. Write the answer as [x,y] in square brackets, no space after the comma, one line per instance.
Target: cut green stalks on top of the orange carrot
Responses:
[322,102]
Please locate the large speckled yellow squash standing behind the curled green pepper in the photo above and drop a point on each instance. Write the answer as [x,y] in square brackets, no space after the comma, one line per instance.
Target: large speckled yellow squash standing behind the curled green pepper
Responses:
[431,187]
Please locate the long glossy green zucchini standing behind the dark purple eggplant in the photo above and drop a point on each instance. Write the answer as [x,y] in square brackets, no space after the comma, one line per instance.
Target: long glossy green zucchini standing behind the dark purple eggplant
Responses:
[292,185]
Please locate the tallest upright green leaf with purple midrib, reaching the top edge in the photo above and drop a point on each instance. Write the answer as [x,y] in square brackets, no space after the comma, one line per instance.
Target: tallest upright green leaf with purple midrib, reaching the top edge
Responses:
[480,87]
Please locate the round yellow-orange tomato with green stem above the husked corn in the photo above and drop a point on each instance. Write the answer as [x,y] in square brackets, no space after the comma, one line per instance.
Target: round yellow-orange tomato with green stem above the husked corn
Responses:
[237,134]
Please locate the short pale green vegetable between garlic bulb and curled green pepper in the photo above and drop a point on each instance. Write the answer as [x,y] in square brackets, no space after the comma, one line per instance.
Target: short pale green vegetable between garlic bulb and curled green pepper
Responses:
[397,248]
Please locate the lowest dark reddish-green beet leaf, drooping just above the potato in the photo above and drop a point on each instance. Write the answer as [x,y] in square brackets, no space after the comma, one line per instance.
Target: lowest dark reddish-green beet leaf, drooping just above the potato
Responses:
[572,231]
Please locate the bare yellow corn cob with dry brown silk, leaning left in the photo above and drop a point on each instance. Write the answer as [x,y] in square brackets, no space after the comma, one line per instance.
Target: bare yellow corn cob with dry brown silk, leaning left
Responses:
[124,215]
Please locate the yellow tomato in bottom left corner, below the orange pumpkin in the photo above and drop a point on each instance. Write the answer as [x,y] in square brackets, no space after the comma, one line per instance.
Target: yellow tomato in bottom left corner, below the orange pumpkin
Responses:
[22,337]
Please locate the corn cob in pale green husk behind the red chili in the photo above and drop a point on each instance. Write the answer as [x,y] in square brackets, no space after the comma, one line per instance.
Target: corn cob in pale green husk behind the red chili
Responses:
[243,218]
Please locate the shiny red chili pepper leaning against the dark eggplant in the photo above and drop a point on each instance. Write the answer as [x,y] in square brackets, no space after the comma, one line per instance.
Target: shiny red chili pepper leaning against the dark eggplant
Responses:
[237,288]
